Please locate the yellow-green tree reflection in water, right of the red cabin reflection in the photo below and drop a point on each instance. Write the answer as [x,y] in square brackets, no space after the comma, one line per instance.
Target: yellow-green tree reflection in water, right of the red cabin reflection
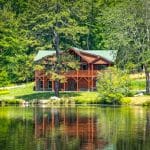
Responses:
[124,128]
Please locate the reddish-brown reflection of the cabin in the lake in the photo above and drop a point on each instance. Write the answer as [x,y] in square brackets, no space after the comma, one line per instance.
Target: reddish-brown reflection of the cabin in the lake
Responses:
[63,130]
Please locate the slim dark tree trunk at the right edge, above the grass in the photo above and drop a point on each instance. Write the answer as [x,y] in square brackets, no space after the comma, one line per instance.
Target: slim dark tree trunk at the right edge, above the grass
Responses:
[147,74]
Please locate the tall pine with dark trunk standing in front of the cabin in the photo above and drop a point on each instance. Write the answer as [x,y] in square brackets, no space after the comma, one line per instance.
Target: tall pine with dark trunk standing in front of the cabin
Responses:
[54,24]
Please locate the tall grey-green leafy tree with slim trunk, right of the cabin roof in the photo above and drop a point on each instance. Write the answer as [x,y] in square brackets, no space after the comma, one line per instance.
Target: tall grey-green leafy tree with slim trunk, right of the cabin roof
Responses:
[126,28]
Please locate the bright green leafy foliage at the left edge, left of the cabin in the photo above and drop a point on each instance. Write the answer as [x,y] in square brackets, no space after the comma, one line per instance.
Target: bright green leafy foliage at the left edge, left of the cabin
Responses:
[15,64]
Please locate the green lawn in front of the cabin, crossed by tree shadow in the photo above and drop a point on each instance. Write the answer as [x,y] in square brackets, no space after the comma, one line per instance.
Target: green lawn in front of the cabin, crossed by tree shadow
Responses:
[26,93]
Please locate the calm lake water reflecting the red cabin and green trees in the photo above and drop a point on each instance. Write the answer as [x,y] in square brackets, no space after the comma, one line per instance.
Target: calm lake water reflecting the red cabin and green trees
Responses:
[75,128]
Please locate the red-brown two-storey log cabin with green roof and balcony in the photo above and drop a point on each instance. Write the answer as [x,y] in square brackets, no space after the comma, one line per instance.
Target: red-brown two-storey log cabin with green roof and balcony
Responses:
[84,79]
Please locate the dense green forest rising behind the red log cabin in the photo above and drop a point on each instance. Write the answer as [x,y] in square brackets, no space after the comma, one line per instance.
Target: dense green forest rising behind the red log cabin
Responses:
[27,26]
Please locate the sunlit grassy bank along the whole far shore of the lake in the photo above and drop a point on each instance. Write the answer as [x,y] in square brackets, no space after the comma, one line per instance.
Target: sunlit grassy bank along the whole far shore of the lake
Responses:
[25,93]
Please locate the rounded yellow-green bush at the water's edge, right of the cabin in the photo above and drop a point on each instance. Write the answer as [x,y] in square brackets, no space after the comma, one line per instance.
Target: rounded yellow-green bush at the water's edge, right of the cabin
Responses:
[112,85]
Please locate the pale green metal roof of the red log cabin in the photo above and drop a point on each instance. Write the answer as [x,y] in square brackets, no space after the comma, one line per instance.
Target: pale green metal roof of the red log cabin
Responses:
[109,55]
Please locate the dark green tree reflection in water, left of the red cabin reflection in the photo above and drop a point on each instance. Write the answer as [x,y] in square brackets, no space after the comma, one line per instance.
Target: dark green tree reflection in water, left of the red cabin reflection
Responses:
[16,134]
